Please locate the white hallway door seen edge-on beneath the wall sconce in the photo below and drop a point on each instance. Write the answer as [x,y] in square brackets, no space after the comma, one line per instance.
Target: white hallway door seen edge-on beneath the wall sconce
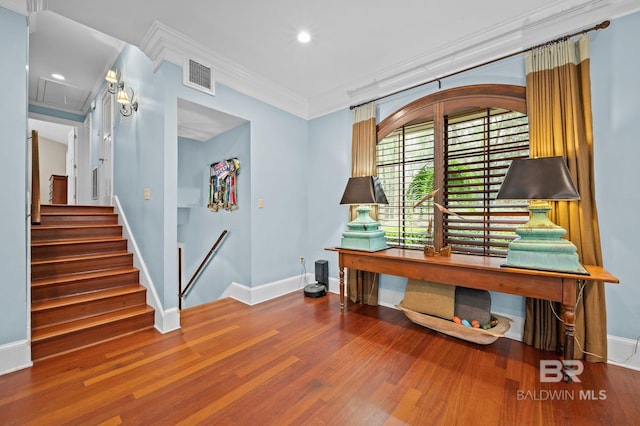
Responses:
[105,166]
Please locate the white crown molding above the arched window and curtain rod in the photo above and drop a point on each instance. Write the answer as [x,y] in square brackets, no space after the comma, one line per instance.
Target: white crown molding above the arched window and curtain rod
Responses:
[512,36]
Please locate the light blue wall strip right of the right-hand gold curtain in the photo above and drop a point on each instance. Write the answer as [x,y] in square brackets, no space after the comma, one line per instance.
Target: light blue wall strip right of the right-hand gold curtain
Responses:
[615,61]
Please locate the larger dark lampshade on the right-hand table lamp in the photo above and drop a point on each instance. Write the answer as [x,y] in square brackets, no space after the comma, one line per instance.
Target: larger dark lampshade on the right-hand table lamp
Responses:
[546,178]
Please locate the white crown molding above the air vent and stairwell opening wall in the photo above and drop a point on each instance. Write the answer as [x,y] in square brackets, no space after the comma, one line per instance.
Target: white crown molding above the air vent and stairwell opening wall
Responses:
[162,43]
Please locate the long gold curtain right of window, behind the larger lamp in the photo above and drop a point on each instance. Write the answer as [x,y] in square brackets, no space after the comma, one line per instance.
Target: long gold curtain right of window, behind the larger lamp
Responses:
[560,123]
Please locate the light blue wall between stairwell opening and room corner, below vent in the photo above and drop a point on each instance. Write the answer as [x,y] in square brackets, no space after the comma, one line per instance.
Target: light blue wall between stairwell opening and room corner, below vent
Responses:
[279,152]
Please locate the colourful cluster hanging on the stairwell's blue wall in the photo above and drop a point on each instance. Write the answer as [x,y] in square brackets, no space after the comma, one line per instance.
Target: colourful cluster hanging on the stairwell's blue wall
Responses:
[223,185]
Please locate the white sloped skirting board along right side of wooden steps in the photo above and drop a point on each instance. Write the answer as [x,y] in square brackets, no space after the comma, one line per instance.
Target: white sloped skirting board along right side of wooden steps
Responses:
[164,320]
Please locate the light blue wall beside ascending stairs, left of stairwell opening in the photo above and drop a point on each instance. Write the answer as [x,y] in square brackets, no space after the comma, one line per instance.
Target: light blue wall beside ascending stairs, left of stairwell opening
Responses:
[139,163]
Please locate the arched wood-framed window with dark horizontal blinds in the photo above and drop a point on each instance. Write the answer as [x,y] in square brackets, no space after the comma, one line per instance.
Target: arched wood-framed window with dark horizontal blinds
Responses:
[459,143]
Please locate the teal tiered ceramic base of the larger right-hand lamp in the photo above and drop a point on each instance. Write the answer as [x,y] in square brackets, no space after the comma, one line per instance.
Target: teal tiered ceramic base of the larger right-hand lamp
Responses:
[540,245]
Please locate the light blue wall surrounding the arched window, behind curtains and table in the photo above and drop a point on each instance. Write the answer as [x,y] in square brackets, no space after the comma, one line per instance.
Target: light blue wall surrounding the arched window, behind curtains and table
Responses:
[616,104]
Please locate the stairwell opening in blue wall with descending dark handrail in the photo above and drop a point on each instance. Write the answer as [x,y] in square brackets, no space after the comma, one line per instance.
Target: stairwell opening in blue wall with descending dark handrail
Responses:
[207,136]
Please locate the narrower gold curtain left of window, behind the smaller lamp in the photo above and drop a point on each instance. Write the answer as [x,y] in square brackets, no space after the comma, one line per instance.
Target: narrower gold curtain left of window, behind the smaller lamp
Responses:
[363,163]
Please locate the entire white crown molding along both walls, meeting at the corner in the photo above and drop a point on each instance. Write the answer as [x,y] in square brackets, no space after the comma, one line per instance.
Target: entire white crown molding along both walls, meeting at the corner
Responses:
[162,43]
